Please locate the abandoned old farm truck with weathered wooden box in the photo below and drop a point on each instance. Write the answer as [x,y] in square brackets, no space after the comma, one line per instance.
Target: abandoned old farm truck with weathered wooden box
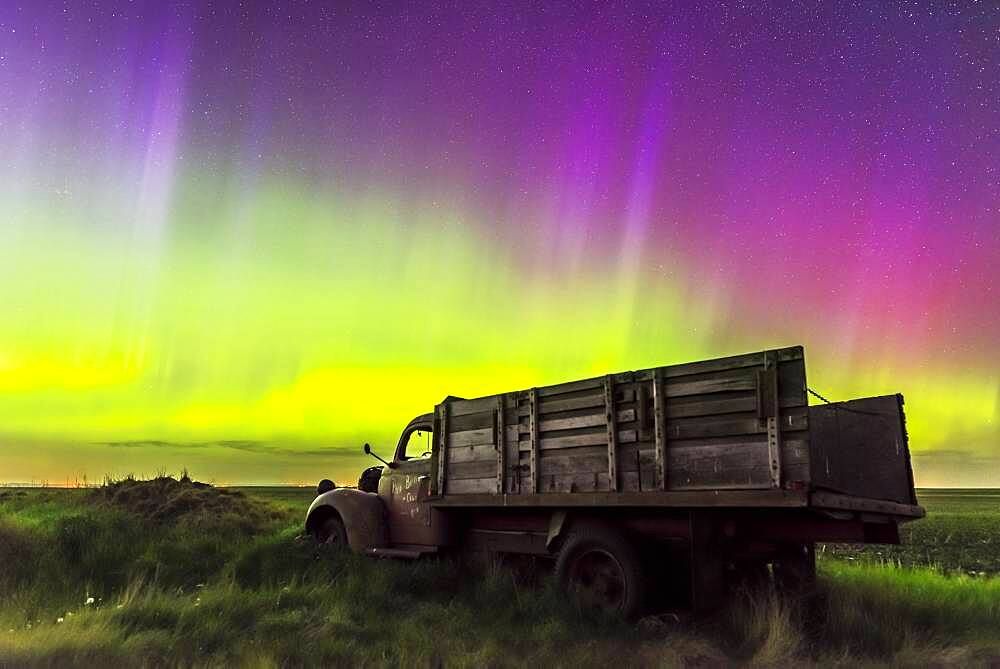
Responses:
[679,478]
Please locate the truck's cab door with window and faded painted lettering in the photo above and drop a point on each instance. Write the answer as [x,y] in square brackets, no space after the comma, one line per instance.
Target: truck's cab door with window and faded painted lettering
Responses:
[406,485]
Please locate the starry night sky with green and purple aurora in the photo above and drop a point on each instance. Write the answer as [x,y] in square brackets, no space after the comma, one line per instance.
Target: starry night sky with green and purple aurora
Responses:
[247,237]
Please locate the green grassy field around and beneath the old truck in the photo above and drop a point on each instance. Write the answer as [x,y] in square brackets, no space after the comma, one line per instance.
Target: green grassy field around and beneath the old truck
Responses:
[178,576]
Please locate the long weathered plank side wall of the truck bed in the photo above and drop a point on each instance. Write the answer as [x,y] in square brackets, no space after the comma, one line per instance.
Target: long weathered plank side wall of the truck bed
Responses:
[737,423]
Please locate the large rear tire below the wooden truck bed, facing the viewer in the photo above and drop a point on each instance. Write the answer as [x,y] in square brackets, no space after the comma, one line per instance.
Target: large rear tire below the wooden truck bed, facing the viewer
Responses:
[602,569]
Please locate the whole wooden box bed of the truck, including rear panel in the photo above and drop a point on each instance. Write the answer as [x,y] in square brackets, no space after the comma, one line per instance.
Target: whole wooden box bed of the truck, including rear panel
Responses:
[733,431]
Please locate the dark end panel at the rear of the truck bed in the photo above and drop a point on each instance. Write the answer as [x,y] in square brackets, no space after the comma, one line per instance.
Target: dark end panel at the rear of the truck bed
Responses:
[859,448]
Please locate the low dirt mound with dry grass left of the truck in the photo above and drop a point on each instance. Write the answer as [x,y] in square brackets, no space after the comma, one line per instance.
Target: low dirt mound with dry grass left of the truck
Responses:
[166,500]
